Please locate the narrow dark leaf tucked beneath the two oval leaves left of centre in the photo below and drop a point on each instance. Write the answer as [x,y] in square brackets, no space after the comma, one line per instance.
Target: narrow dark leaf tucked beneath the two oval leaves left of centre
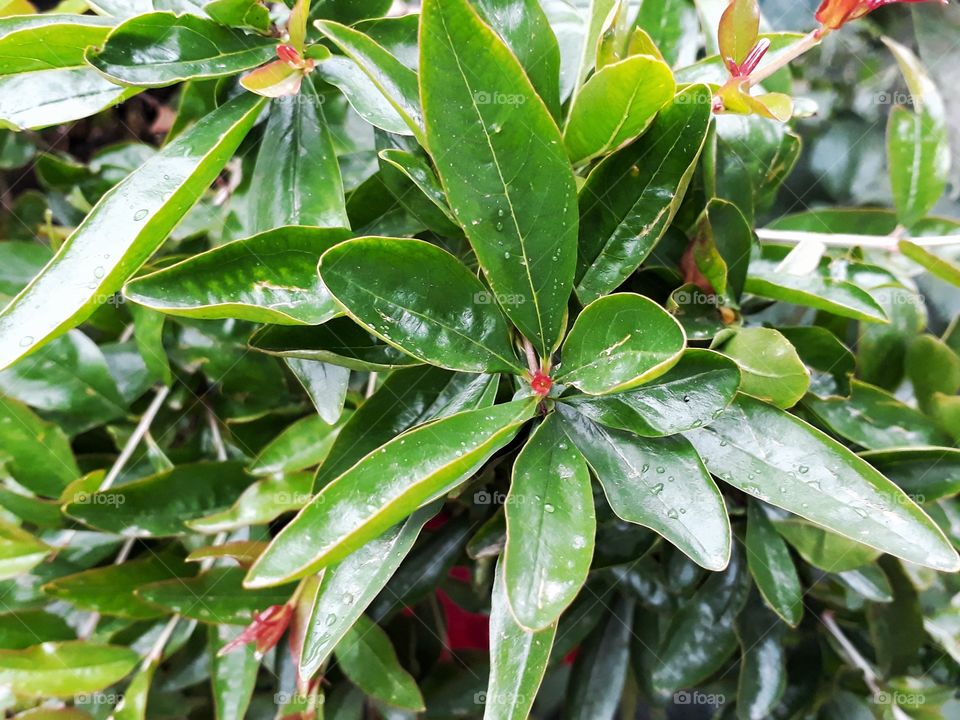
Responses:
[339,342]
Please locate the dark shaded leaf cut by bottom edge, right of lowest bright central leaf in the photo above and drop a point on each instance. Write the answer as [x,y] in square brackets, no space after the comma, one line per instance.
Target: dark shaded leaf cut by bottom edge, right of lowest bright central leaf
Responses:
[600,670]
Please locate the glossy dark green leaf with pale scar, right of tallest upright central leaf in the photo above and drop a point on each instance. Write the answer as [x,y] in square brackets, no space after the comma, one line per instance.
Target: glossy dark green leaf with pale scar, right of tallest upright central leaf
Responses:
[628,201]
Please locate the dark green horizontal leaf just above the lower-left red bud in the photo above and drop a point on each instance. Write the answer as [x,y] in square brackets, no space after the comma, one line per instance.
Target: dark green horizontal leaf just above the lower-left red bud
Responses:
[217,596]
